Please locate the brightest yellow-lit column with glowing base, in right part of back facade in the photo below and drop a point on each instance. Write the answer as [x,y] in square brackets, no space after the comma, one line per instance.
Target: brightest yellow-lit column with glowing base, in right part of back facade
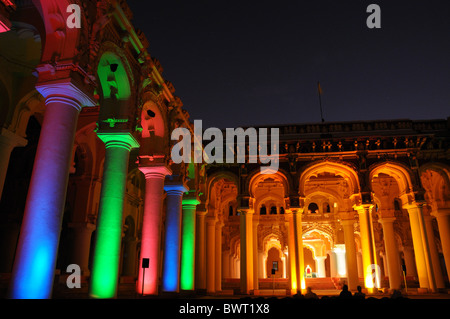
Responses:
[370,267]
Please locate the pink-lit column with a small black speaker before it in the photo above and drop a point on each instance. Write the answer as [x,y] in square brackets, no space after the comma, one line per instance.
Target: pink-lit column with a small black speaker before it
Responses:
[151,228]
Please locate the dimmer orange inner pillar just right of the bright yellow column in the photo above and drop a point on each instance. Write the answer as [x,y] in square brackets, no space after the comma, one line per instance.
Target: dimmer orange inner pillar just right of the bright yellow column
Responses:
[392,255]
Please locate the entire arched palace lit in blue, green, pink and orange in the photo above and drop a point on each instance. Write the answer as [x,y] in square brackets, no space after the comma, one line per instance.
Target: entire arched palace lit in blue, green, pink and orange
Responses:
[87,180]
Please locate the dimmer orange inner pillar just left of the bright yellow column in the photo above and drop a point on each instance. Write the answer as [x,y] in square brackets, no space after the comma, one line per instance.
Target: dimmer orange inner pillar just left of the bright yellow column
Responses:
[350,253]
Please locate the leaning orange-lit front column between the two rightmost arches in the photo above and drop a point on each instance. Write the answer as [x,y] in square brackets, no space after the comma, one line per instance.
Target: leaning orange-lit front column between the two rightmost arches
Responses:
[421,249]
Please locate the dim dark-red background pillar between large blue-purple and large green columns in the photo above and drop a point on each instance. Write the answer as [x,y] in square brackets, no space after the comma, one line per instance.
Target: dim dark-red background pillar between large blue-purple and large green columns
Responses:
[81,244]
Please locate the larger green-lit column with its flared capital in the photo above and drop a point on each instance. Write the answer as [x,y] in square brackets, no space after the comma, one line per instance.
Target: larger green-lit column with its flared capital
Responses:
[105,268]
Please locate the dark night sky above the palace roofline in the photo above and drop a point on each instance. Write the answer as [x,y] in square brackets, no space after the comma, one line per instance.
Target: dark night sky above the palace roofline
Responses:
[248,63]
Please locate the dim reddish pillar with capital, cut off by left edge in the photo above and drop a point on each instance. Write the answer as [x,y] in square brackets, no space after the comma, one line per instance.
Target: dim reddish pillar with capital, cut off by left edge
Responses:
[8,141]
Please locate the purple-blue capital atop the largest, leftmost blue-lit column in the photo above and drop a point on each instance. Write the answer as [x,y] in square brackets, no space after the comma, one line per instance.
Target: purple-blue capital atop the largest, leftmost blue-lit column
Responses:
[65,91]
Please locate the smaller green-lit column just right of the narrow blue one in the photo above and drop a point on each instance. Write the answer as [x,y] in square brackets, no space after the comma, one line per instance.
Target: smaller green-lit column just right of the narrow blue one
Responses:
[188,243]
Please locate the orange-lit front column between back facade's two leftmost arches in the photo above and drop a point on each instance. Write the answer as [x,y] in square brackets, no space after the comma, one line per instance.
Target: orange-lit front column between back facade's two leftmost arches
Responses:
[246,230]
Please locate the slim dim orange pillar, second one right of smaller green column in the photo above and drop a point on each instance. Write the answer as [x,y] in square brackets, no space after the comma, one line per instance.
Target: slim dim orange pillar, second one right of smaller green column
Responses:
[210,254]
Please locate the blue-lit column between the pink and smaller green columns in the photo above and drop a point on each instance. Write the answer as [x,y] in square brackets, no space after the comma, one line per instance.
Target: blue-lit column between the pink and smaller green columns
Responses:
[171,263]
